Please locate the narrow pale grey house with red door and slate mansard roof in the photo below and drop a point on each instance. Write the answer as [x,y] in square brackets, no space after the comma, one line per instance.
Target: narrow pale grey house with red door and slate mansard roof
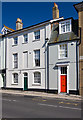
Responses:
[63,56]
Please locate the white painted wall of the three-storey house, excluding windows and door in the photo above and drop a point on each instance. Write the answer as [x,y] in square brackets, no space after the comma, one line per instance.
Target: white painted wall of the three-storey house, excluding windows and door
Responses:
[32,45]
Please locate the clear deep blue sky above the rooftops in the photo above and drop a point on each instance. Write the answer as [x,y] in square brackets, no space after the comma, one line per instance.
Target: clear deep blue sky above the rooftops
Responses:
[34,12]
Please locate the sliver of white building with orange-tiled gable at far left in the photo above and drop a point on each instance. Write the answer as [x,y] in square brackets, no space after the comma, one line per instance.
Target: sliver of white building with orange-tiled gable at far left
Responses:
[3,54]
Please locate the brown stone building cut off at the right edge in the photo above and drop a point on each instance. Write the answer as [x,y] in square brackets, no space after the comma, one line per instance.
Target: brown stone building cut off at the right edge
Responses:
[79,9]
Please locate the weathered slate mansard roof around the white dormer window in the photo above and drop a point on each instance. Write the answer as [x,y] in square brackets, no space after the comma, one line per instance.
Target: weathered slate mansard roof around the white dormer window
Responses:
[56,37]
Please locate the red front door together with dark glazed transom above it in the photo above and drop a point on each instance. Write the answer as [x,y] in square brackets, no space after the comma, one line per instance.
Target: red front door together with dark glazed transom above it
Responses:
[63,79]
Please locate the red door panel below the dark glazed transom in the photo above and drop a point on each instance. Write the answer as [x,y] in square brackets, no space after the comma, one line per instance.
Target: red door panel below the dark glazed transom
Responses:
[63,83]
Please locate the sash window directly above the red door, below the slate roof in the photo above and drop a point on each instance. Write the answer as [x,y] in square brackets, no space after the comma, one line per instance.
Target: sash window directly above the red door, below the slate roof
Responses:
[63,51]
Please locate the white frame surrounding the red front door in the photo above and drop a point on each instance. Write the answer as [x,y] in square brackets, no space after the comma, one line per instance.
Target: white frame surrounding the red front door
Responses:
[59,80]
